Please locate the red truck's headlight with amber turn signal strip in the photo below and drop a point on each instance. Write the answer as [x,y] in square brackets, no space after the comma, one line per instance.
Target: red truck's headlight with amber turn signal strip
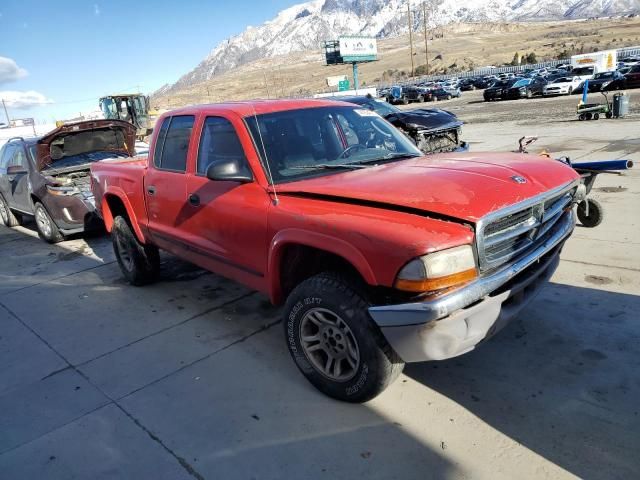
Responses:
[438,270]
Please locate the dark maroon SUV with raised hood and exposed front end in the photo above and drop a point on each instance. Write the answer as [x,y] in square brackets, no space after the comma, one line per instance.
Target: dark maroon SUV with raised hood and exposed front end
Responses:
[49,178]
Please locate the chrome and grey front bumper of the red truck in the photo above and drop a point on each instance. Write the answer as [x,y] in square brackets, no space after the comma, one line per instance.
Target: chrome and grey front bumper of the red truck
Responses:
[455,323]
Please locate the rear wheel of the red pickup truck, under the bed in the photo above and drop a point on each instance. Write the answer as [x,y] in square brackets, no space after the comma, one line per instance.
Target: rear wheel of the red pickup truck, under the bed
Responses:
[140,264]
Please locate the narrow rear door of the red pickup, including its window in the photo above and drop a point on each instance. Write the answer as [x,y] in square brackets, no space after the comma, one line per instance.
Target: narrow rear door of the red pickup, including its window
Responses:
[165,181]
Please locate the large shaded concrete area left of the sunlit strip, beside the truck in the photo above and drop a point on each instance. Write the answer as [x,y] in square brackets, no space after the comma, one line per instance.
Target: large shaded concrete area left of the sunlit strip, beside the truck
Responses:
[189,377]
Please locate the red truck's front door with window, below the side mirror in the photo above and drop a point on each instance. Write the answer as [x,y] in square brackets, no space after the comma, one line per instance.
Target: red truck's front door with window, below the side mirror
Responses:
[227,220]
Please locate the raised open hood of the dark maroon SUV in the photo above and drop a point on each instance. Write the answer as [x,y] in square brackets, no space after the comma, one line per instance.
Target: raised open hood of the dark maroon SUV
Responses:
[81,138]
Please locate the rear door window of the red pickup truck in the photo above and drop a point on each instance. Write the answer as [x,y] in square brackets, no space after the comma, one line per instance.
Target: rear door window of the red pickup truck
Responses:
[174,144]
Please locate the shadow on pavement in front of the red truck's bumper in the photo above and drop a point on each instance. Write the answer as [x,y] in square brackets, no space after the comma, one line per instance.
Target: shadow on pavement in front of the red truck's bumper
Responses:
[562,380]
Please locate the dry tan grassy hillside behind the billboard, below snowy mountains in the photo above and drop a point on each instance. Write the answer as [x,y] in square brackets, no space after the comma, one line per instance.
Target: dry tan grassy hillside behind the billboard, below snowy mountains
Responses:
[463,45]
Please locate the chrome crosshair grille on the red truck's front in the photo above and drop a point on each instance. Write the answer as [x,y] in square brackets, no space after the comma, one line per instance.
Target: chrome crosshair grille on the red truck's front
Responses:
[508,233]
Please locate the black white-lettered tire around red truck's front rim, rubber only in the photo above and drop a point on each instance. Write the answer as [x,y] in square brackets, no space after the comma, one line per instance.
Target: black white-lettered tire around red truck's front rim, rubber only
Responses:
[378,364]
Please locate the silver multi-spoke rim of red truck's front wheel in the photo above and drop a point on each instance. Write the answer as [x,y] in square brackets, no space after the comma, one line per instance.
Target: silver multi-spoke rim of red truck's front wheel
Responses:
[329,344]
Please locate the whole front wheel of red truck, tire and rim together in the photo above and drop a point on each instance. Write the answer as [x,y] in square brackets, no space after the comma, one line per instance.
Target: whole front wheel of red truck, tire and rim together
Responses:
[334,342]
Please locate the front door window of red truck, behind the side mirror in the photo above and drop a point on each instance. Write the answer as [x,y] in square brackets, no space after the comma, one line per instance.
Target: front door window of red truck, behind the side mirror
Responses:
[219,142]
